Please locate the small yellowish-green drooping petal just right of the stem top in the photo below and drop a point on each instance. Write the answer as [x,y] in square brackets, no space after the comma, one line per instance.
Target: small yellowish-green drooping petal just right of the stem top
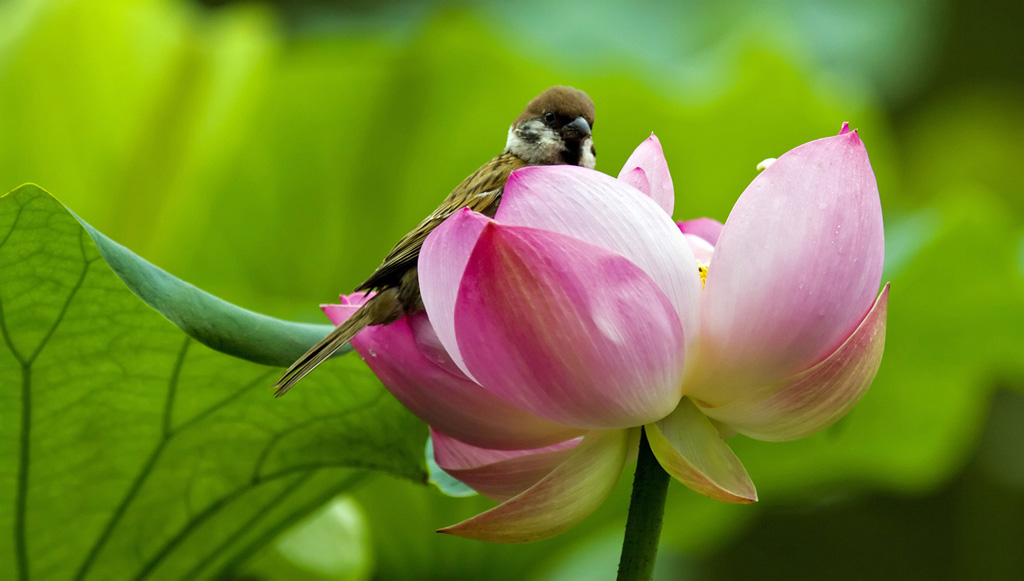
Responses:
[690,448]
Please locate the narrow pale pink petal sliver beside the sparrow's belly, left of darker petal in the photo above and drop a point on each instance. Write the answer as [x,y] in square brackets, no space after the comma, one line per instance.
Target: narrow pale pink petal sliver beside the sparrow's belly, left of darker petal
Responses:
[443,261]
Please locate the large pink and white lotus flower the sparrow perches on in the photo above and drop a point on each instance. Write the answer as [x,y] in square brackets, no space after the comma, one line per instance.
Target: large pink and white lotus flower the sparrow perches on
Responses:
[582,312]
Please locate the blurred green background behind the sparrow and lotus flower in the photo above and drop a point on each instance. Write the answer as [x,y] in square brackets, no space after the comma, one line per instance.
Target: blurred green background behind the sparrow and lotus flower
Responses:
[272,153]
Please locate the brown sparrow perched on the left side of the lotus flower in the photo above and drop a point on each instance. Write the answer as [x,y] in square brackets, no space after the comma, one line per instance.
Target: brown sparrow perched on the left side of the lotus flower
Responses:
[553,130]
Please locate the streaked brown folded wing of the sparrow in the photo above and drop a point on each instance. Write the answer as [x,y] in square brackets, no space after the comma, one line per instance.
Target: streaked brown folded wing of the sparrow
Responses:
[481,192]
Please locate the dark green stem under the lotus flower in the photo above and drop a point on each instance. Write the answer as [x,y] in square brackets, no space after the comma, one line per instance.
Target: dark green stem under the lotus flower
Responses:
[644,526]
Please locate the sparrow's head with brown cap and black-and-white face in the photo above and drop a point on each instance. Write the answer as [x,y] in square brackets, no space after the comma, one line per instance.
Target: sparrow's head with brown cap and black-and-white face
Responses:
[556,130]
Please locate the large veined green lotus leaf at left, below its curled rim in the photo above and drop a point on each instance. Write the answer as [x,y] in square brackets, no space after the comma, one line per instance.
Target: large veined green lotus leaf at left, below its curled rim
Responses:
[130,450]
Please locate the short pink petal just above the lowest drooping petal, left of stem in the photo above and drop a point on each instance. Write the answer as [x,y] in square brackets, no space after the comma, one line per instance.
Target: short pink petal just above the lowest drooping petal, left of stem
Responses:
[499,475]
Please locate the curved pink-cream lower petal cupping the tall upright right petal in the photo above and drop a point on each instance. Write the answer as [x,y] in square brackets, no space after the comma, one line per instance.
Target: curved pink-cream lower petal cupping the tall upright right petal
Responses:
[816,399]
